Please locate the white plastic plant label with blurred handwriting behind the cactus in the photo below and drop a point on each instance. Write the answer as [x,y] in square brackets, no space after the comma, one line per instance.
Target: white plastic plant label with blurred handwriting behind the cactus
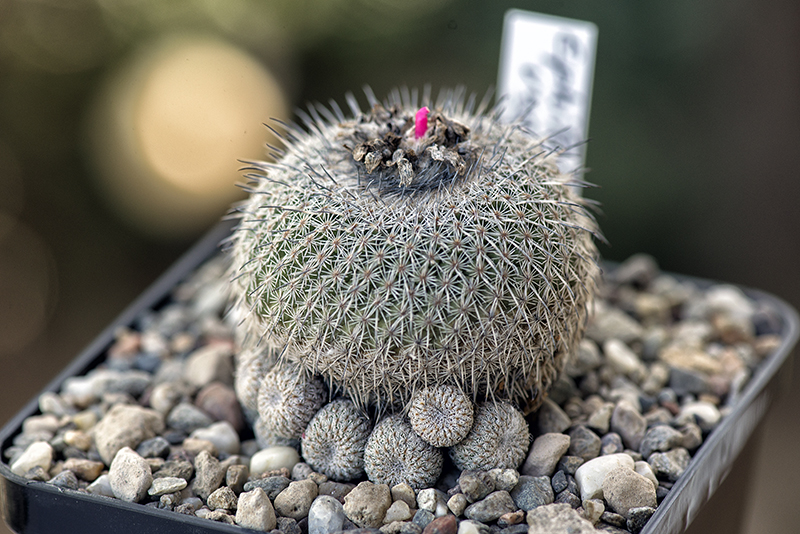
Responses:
[546,72]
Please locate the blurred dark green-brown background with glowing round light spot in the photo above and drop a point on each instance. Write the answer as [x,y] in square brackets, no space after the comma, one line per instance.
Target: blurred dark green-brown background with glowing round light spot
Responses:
[695,144]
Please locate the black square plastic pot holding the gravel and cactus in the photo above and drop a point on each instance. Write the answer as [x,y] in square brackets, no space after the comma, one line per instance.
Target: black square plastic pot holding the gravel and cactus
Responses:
[37,507]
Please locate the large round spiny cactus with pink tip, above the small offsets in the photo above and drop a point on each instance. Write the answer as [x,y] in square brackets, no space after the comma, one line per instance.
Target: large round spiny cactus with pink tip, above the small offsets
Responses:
[409,246]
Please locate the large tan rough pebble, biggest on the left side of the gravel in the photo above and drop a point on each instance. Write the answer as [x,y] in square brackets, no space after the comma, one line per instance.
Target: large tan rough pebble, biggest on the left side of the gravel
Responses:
[125,426]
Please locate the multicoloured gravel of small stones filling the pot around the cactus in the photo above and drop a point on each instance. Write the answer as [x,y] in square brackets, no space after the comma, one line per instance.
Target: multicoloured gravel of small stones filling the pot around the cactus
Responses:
[158,423]
